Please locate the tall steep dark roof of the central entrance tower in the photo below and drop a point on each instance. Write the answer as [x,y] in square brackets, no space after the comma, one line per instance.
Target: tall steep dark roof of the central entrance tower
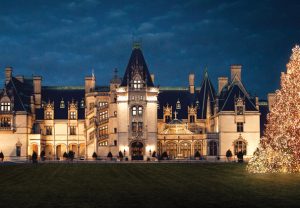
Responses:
[136,60]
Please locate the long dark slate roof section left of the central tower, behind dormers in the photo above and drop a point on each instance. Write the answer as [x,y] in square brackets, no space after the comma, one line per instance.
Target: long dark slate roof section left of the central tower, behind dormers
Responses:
[56,95]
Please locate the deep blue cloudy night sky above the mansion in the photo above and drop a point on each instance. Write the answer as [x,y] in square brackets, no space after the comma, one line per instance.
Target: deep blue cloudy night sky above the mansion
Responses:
[63,40]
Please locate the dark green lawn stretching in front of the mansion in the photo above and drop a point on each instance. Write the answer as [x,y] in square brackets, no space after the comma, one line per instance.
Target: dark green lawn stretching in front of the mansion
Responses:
[144,185]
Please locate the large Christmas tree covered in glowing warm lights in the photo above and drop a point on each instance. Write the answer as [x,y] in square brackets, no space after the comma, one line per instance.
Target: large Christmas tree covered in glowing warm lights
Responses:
[279,150]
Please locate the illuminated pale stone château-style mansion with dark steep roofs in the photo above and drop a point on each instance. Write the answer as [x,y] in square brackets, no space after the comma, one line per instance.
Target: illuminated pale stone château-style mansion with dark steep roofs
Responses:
[131,115]
